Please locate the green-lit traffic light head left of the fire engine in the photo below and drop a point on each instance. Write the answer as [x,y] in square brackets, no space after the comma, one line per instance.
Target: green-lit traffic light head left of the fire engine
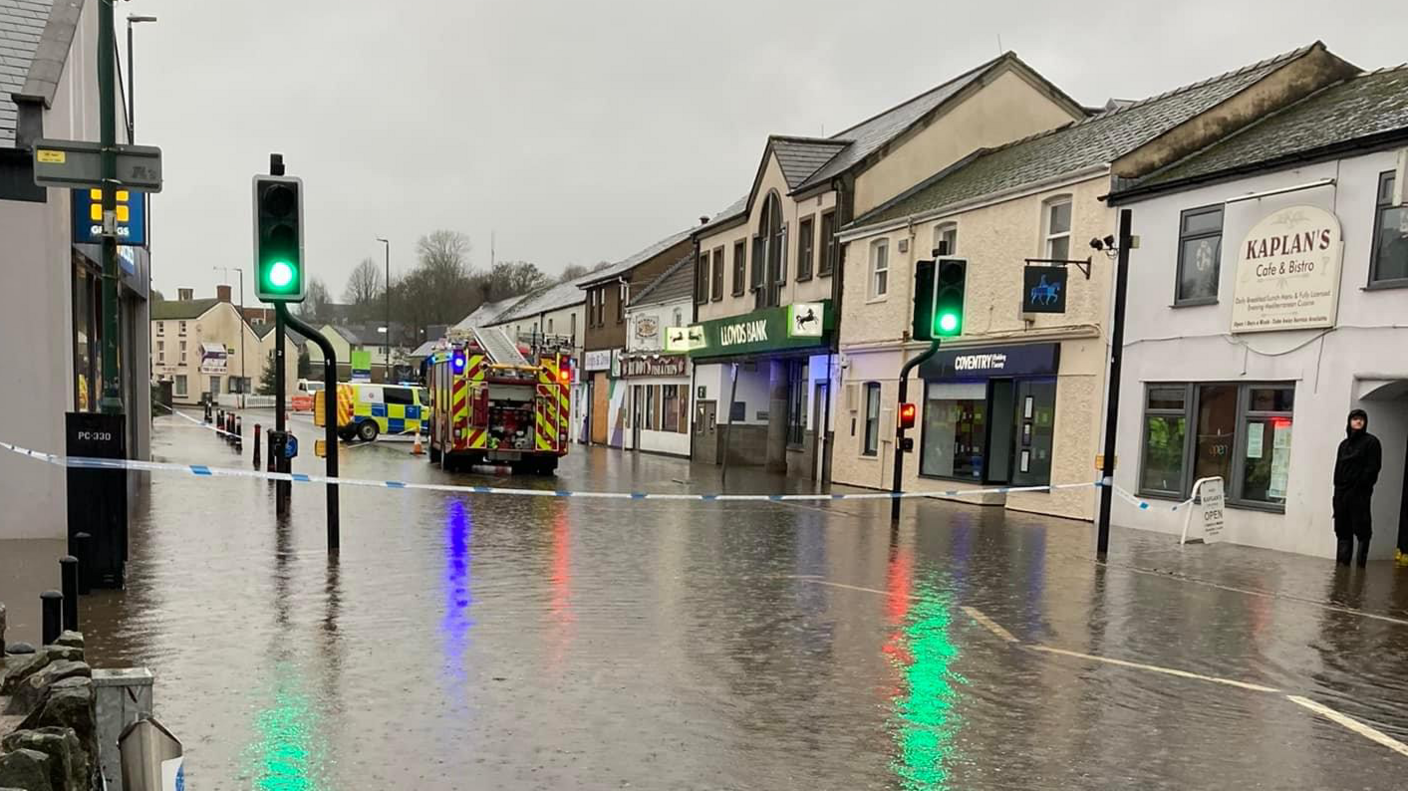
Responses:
[279,240]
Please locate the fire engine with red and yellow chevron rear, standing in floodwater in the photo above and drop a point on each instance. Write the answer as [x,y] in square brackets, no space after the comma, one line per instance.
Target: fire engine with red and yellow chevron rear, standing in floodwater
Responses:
[501,400]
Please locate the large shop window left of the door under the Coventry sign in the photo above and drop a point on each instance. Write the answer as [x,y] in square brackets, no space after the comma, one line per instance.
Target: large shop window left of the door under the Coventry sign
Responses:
[955,426]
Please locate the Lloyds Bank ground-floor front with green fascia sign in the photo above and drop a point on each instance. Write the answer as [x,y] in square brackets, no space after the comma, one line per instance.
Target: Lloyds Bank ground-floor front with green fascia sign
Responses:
[762,388]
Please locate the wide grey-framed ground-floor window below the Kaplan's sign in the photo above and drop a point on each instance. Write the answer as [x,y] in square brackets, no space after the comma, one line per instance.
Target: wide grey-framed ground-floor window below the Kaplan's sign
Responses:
[1240,433]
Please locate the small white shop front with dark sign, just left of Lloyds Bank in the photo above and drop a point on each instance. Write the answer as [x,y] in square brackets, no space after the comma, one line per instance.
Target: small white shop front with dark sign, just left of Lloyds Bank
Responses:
[658,386]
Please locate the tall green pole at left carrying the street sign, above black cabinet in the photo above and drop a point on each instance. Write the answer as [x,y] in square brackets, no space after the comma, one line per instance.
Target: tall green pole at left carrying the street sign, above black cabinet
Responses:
[112,399]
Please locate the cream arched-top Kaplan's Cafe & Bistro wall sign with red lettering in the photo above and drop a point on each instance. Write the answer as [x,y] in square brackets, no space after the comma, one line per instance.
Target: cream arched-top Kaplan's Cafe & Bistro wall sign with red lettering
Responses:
[1288,272]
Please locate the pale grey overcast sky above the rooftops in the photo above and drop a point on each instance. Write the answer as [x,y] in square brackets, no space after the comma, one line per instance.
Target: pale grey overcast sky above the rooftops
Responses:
[585,130]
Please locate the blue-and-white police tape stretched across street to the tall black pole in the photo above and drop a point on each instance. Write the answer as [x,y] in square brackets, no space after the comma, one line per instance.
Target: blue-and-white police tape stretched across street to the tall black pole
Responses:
[203,471]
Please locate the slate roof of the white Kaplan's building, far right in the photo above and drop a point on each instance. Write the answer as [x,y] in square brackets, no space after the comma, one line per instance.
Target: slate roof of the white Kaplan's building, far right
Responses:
[1366,106]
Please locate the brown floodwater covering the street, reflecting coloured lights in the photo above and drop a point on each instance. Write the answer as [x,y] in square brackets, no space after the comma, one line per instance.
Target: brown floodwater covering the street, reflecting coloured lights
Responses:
[515,643]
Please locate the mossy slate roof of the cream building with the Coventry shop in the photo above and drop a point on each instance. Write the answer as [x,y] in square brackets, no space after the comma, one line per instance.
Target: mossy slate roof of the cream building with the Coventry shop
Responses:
[1076,147]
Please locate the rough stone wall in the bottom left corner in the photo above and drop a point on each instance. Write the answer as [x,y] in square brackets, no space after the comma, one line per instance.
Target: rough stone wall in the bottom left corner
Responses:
[49,738]
